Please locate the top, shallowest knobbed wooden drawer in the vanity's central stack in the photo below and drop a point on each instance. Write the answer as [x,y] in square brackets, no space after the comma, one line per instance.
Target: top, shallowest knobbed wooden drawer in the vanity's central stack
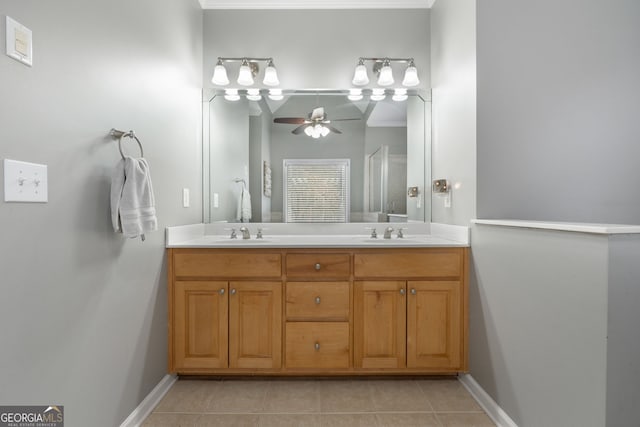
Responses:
[318,265]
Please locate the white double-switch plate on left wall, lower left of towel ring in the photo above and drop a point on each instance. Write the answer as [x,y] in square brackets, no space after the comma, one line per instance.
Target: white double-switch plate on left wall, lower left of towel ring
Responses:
[25,182]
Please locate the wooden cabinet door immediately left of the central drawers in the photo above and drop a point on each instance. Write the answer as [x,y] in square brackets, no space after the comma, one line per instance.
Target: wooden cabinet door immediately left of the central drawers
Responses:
[255,325]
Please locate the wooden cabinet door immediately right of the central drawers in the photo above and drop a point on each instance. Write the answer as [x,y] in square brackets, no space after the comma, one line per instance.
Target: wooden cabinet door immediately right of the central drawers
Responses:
[379,324]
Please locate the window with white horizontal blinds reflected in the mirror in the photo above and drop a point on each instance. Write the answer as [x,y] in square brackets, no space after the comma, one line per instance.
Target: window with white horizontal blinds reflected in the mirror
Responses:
[316,190]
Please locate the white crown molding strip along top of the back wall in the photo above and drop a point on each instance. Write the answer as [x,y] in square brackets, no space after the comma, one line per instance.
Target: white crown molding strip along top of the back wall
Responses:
[315,4]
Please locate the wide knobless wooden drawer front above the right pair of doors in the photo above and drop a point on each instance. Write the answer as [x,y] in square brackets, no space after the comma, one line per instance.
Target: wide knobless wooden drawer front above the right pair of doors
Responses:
[431,263]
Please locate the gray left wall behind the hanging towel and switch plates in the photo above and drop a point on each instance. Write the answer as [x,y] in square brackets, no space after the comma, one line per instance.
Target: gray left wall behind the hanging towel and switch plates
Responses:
[83,310]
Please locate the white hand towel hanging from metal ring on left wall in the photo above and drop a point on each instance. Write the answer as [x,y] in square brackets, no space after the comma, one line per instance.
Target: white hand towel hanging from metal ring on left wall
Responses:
[133,210]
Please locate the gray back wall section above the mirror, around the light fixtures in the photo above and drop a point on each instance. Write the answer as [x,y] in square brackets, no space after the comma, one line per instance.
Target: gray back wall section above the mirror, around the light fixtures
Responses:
[317,48]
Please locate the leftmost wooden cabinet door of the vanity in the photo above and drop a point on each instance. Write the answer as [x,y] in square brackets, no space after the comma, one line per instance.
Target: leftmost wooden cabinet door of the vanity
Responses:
[200,320]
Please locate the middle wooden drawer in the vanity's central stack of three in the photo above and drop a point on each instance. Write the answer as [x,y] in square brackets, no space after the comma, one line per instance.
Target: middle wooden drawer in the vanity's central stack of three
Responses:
[317,301]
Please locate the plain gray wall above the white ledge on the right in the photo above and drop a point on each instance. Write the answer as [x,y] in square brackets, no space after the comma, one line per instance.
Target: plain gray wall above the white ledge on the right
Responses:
[558,124]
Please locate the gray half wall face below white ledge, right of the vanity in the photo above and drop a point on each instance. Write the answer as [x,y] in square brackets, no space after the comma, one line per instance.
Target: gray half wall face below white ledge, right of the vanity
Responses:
[538,324]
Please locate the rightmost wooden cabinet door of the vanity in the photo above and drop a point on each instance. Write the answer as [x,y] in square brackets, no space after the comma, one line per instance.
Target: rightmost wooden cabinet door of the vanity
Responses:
[434,324]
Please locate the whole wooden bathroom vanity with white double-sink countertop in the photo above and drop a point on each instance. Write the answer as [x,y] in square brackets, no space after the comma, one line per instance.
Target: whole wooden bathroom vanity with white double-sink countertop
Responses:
[323,305]
